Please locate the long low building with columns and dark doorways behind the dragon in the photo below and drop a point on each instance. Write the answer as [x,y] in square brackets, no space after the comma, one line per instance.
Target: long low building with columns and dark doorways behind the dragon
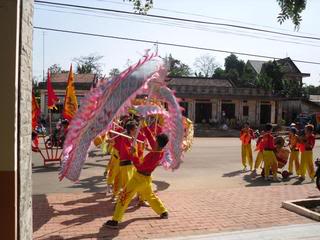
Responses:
[206,98]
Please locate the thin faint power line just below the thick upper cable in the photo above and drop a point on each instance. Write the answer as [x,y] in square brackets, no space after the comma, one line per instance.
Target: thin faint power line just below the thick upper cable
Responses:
[193,27]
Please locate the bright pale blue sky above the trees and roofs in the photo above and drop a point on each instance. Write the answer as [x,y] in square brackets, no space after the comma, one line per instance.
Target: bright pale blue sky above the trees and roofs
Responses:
[61,48]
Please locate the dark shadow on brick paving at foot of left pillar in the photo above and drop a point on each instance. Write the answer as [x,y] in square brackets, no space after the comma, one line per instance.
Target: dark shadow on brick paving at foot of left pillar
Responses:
[42,211]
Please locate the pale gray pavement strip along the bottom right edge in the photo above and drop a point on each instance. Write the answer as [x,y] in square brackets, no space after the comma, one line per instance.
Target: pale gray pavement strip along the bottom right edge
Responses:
[290,232]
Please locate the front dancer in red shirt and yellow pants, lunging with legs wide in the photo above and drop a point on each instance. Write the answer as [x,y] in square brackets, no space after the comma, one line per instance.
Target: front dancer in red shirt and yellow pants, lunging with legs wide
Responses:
[141,181]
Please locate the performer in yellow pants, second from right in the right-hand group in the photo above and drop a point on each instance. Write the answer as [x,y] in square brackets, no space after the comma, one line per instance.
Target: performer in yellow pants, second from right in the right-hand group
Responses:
[294,155]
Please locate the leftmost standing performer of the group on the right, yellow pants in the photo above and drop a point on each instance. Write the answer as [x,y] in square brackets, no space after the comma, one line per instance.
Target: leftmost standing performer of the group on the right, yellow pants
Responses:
[246,135]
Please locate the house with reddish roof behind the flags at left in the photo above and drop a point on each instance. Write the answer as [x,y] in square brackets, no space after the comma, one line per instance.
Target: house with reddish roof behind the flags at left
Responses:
[83,83]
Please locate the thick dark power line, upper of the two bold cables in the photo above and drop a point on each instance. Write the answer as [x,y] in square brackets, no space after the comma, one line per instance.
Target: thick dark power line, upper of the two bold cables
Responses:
[177,19]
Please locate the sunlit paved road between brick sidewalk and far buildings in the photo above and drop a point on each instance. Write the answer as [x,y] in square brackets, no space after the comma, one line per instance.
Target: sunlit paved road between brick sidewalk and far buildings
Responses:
[212,163]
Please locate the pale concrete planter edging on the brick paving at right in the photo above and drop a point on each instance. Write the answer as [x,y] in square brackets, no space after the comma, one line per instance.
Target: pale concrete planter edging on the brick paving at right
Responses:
[297,206]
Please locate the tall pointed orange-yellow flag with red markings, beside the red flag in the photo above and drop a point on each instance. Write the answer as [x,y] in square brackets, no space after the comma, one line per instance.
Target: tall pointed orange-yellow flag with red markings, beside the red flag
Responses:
[70,101]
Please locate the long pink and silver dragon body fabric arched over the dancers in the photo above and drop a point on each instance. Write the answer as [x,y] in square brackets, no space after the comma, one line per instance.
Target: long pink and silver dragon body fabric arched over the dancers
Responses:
[112,98]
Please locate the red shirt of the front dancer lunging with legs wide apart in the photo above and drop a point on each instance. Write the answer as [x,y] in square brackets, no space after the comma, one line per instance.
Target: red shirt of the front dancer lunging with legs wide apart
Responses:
[152,159]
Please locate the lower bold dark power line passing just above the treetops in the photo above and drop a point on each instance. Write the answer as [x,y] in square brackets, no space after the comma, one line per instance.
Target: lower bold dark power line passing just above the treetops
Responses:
[165,44]
